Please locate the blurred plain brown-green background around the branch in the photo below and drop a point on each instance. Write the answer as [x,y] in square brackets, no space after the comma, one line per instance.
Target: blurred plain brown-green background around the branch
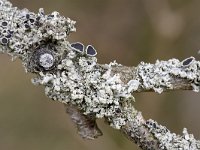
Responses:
[127,31]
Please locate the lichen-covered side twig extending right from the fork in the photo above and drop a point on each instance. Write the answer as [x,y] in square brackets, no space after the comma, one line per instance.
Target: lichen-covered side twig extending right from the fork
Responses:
[163,75]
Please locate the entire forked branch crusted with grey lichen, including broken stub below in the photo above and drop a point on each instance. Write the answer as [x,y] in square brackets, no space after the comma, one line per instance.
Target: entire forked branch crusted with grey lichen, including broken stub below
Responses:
[90,90]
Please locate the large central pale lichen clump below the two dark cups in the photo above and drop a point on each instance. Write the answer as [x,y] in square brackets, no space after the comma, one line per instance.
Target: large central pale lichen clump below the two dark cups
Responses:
[79,82]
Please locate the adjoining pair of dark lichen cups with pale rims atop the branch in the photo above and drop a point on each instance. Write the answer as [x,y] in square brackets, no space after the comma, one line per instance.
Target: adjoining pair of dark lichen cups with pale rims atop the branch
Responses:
[79,47]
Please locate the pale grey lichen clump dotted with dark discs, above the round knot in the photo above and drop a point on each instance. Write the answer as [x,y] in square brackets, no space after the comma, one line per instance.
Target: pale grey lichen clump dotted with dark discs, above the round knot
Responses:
[22,30]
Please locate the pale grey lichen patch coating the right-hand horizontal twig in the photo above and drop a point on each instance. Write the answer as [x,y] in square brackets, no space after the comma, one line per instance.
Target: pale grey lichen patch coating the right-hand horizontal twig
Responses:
[161,75]
